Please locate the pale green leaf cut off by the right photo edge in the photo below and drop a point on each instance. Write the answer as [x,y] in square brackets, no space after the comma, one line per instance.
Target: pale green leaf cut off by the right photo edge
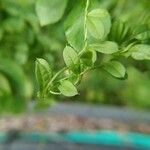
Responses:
[140,52]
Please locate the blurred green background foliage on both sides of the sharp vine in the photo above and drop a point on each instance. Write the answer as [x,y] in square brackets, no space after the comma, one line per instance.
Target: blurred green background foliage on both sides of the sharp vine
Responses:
[22,39]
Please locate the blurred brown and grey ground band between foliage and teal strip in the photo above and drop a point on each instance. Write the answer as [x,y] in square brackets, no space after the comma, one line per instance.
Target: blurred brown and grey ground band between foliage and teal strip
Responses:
[66,117]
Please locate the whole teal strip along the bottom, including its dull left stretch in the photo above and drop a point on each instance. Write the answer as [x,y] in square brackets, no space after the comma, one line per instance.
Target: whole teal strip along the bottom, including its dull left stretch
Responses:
[106,137]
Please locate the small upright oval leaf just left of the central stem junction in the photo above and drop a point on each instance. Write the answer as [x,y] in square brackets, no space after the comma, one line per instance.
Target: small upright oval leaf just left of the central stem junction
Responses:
[71,58]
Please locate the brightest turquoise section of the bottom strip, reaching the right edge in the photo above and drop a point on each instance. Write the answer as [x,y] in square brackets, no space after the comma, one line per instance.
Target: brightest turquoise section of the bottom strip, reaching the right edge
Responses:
[109,138]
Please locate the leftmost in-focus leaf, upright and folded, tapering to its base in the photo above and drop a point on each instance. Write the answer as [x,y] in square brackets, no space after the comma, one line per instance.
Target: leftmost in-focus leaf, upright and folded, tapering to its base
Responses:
[43,73]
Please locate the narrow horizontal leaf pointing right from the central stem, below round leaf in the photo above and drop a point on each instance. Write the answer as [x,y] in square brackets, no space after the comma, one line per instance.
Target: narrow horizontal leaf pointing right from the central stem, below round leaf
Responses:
[107,47]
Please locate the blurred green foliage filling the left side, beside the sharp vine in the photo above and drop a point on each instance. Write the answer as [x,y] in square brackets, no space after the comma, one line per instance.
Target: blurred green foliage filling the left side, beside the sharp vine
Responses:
[21,41]
